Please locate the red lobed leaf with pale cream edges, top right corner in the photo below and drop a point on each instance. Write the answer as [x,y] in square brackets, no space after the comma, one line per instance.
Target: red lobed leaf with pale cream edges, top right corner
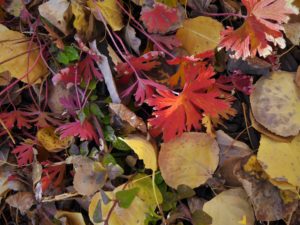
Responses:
[263,24]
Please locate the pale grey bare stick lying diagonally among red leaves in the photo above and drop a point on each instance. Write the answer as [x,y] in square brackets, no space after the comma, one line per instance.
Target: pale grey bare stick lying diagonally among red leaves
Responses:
[107,74]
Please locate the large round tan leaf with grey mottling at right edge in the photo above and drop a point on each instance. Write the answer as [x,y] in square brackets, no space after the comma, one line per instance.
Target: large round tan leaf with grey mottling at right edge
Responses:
[275,103]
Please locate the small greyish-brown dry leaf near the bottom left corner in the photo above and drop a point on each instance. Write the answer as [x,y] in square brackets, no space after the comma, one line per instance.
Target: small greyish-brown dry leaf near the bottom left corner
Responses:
[21,200]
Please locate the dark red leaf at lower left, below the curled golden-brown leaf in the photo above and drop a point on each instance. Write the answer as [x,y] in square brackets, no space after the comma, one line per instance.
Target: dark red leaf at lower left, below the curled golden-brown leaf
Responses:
[52,174]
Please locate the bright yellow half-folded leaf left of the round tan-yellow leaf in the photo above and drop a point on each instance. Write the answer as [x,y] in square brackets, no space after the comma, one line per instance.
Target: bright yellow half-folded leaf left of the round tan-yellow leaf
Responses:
[144,150]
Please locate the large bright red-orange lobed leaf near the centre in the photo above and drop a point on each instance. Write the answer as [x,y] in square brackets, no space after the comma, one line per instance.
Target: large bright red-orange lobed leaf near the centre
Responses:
[176,113]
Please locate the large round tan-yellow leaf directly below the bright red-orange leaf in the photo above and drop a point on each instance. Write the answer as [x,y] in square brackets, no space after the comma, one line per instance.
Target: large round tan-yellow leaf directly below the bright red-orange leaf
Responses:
[189,159]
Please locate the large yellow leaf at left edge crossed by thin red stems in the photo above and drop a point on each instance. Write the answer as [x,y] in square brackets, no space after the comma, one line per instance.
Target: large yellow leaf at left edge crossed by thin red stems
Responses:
[14,57]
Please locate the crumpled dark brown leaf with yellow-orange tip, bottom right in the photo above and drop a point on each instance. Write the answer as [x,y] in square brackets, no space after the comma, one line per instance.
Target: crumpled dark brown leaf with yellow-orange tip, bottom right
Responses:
[266,199]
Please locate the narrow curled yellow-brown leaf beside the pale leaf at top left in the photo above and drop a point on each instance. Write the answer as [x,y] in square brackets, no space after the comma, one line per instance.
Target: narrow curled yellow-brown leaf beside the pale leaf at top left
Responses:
[80,23]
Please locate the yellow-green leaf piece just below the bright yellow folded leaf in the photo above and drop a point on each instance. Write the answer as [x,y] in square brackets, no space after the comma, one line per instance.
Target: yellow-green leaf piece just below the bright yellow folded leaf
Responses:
[146,193]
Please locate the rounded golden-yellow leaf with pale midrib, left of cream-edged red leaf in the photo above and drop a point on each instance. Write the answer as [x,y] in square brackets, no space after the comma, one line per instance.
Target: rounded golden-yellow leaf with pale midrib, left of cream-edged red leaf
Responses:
[199,34]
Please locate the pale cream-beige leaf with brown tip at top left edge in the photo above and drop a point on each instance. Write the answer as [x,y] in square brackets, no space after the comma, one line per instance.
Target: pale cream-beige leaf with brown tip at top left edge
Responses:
[56,12]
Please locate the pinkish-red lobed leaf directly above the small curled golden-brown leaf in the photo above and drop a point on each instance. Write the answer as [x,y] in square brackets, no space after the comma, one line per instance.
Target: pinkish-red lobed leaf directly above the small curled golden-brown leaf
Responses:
[84,130]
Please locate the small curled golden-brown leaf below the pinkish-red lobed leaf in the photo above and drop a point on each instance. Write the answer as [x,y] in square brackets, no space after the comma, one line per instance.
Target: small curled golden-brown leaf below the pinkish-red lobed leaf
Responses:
[50,141]
